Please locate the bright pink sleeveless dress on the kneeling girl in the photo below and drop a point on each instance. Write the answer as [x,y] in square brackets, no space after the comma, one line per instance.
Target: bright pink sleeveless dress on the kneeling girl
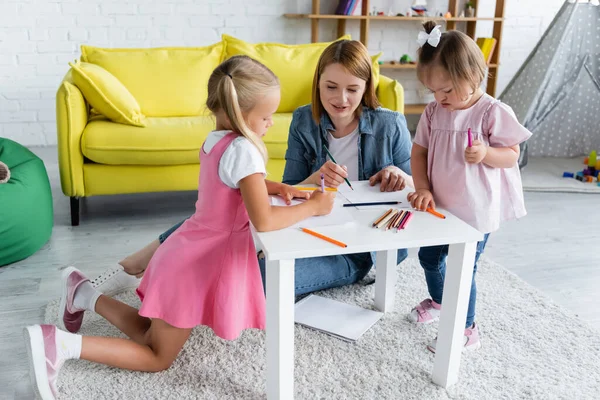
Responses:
[206,272]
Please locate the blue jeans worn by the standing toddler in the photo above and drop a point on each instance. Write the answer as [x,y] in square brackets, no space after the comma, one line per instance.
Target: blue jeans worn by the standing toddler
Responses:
[433,261]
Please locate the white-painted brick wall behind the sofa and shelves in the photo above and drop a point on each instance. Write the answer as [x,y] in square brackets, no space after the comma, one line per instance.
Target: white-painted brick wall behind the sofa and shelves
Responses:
[39,37]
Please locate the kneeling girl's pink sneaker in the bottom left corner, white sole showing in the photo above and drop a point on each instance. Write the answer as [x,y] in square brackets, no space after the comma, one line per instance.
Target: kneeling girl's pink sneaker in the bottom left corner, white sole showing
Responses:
[44,360]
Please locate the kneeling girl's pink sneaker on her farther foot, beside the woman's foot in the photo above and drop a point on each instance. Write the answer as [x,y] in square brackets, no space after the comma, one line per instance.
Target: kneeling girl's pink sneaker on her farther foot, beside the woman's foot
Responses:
[70,318]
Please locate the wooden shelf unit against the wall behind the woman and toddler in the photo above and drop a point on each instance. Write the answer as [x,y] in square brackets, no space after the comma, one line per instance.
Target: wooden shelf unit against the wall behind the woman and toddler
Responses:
[453,6]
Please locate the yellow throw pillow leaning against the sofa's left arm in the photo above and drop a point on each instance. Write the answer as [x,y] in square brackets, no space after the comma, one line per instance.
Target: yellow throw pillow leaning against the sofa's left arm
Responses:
[106,94]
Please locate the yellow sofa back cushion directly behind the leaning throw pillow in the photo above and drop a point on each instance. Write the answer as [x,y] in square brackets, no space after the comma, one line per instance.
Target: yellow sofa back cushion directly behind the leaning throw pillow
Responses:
[166,82]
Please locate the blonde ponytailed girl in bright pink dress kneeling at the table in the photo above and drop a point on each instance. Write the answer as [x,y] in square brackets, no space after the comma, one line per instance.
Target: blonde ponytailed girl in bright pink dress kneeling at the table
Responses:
[207,272]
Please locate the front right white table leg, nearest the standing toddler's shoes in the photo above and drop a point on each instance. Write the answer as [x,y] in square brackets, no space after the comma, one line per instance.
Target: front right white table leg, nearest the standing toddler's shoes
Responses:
[455,301]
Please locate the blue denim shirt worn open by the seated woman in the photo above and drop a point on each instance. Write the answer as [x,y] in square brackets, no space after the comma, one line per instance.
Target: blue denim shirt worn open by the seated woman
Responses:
[383,140]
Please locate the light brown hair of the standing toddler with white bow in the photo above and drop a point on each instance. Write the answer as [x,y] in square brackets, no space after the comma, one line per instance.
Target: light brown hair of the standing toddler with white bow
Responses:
[456,53]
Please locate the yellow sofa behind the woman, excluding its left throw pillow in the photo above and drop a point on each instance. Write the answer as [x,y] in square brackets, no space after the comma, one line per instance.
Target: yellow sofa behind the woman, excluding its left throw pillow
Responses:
[100,157]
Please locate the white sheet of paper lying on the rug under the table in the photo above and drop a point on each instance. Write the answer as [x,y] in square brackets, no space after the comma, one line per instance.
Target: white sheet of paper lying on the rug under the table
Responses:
[345,321]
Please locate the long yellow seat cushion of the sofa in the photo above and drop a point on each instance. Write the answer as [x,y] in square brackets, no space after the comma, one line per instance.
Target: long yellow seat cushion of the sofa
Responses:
[164,141]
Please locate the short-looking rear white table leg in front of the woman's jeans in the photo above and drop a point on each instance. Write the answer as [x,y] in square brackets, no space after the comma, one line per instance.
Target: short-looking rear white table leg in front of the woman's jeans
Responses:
[385,279]
